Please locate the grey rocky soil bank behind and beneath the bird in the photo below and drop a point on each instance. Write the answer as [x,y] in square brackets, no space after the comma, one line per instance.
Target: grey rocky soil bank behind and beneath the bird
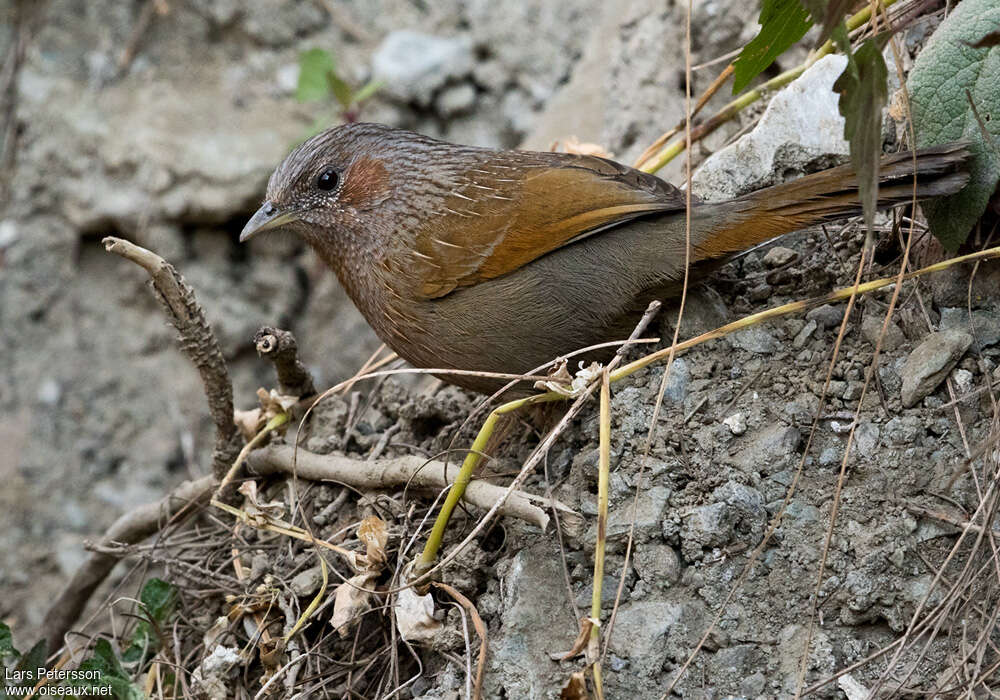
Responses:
[99,412]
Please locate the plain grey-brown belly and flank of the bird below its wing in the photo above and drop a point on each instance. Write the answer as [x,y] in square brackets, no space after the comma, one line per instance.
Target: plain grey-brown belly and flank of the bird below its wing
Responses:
[589,293]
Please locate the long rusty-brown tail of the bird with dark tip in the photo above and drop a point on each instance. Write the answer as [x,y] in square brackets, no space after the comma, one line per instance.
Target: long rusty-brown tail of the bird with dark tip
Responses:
[829,194]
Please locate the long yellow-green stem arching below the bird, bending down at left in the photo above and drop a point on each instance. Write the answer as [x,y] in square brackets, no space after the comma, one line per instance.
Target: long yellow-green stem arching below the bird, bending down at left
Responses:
[472,460]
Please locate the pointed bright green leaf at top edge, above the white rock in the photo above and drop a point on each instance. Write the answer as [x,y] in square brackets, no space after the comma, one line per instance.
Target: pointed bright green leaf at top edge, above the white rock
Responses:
[782,23]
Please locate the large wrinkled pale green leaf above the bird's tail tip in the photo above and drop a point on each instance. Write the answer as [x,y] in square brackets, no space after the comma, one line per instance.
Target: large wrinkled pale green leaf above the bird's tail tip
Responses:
[943,72]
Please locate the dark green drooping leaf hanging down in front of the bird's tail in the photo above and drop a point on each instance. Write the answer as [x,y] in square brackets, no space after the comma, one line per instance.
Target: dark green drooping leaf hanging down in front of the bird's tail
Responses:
[863,94]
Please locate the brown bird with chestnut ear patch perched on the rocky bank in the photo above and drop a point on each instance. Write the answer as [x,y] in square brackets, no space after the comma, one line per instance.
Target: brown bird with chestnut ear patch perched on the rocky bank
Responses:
[481,259]
